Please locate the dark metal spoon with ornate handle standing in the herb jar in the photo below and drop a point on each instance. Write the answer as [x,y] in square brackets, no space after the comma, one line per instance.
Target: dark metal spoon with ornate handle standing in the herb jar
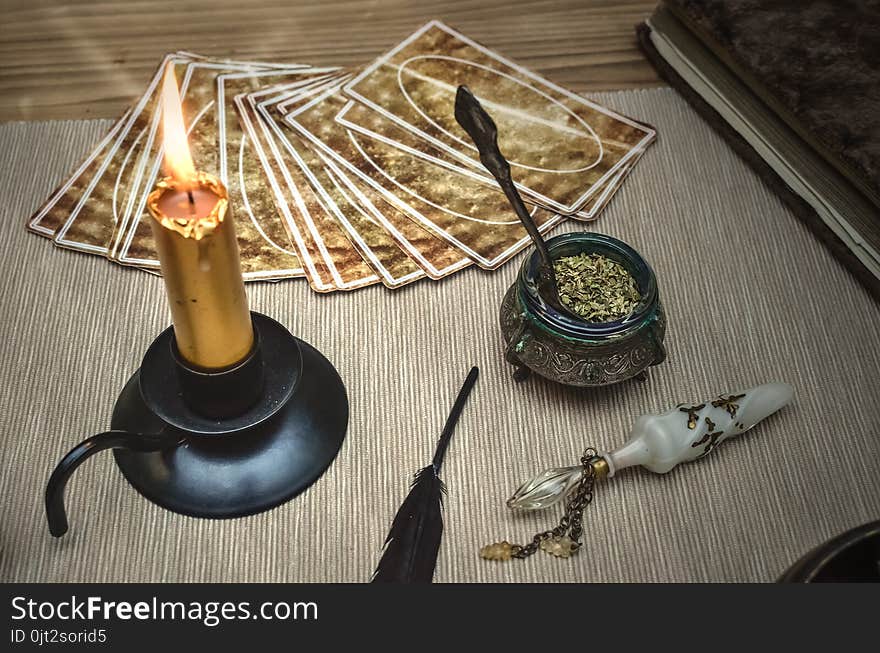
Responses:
[482,130]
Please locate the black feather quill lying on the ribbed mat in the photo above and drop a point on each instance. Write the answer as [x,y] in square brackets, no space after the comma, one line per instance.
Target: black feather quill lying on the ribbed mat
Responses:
[414,539]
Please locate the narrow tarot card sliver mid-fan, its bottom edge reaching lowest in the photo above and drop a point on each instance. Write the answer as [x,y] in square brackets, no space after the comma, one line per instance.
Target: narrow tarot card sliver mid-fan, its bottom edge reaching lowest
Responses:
[330,261]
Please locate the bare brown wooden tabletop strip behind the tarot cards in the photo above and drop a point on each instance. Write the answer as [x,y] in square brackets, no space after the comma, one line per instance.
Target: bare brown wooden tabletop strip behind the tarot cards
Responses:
[79,59]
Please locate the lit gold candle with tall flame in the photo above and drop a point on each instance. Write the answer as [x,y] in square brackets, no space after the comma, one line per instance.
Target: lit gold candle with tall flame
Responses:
[195,239]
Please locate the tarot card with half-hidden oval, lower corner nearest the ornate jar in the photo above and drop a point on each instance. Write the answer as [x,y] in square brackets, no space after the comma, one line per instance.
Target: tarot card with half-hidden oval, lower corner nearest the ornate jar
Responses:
[472,215]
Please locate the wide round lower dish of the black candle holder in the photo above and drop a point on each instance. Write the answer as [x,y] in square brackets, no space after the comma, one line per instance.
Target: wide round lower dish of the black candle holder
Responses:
[253,470]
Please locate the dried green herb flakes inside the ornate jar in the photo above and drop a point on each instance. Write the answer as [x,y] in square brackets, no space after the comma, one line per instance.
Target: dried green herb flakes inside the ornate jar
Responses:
[595,287]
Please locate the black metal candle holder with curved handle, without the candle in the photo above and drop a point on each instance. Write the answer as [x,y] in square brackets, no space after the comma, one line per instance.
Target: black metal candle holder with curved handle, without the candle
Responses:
[220,444]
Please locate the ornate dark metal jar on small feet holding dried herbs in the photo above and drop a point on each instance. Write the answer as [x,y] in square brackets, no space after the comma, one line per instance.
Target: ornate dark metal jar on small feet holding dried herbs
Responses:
[576,352]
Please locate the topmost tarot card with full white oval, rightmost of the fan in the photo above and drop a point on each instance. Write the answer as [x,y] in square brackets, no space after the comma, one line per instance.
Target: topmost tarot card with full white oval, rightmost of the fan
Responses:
[562,148]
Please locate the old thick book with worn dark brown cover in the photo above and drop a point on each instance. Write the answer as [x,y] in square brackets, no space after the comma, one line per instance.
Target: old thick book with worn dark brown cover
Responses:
[795,87]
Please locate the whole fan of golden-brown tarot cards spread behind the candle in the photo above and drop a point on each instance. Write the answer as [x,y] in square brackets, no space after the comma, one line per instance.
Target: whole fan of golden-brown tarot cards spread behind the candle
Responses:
[354,177]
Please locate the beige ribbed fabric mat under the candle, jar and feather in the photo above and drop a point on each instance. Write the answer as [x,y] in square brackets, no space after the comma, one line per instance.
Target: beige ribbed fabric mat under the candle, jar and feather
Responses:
[751,297]
